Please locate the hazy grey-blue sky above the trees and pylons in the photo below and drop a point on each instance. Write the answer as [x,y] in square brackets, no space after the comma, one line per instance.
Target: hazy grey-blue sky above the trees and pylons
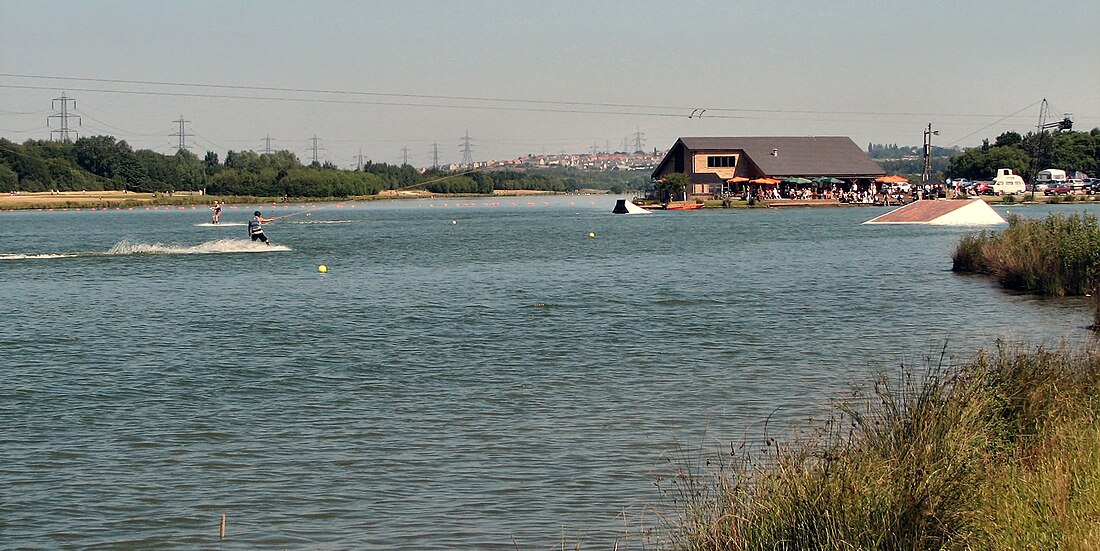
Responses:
[402,80]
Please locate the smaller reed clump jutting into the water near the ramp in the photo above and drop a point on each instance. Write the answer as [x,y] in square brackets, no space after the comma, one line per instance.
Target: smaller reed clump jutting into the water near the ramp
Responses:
[1059,256]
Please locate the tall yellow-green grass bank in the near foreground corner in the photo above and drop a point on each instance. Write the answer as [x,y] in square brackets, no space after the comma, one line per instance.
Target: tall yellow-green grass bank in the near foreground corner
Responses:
[1003,453]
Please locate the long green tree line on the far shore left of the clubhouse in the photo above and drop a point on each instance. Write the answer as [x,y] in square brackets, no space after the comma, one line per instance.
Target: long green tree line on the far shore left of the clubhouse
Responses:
[105,163]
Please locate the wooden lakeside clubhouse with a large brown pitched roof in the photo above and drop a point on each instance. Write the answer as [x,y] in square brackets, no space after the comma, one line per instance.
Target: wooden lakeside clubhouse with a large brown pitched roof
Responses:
[711,162]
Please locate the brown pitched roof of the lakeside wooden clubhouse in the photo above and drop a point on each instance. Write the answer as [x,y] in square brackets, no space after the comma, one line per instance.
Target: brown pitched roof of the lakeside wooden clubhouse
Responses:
[797,157]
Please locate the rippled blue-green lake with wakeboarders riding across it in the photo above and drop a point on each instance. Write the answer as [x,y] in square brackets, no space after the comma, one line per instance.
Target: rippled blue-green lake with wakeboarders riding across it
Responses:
[470,373]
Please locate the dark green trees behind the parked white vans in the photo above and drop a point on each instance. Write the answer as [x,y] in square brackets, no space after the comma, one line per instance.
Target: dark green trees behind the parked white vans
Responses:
[1029,155]
